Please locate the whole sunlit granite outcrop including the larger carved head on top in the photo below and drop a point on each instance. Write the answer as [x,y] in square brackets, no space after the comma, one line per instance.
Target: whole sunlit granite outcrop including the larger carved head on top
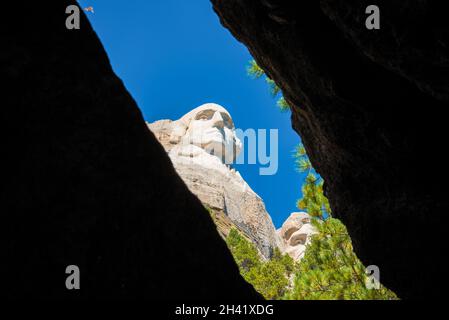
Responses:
[198,145]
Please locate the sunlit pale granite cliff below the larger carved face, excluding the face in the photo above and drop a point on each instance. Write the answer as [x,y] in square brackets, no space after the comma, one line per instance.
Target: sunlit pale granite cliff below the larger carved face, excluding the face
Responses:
[219,187]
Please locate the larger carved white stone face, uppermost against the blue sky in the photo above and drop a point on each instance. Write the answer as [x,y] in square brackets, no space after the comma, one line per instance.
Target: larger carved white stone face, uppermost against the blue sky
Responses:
[211,128]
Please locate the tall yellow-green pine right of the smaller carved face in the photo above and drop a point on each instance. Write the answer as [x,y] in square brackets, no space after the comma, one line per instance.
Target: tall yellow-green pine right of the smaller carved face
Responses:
[330,269]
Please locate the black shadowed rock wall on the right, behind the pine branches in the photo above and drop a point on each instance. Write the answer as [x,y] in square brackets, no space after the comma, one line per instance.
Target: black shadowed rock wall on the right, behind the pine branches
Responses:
[370,107]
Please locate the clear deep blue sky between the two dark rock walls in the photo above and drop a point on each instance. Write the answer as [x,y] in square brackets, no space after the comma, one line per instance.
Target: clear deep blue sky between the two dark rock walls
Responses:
[173,55]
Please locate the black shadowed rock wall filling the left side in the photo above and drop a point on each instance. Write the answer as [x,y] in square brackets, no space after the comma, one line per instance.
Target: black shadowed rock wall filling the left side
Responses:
[84,182]
